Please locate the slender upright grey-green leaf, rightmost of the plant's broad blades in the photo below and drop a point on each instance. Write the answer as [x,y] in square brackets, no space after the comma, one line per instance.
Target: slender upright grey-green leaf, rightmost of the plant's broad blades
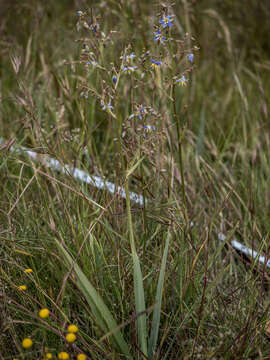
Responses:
[157,310]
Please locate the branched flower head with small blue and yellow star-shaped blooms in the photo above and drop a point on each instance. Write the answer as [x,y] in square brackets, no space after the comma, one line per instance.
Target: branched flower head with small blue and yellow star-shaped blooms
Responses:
[139,80]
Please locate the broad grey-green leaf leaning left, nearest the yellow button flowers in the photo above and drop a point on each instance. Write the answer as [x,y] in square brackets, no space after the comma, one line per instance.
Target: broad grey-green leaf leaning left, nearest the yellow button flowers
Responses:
[101,313]
